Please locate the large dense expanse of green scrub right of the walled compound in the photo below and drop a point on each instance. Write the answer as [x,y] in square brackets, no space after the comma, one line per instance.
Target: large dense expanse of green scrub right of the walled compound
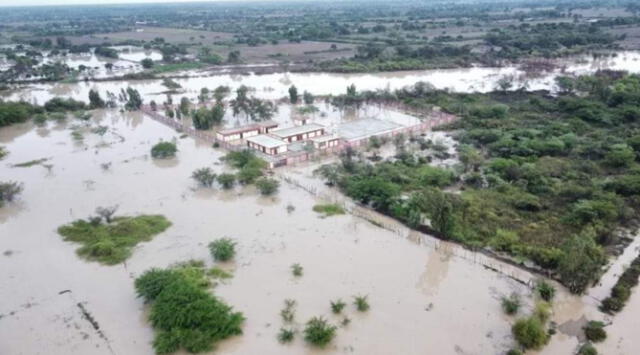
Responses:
[548,179]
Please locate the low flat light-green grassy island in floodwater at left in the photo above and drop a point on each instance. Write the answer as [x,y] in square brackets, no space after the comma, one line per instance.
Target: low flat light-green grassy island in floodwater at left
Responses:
[112,241]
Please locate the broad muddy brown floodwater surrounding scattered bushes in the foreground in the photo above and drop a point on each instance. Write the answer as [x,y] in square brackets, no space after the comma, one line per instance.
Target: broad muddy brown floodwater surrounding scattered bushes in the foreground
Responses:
[423,299]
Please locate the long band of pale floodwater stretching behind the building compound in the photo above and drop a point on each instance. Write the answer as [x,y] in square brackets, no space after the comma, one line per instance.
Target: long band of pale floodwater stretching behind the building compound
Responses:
[275,86]
